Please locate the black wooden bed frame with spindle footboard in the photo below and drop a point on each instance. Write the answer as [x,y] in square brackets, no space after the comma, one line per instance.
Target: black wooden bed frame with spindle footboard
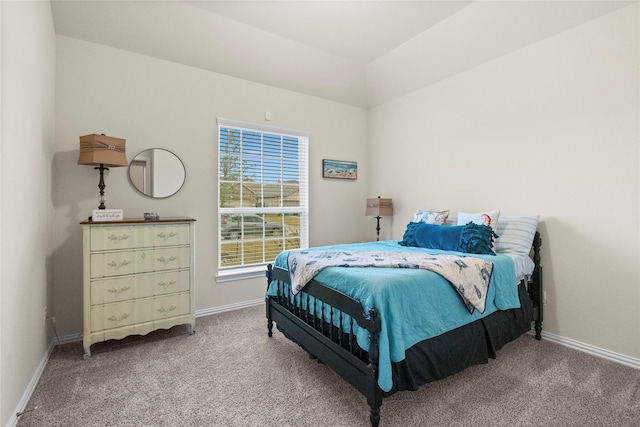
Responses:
[332,344]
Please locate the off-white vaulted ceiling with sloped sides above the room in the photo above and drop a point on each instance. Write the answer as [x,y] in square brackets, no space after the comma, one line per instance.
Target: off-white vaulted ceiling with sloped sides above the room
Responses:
[362,53]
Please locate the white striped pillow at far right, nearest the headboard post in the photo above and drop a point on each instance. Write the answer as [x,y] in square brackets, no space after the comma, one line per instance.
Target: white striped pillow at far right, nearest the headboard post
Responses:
[515,234]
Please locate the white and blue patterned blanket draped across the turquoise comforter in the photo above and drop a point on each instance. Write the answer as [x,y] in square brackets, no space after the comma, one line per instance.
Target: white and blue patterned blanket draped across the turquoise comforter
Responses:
[469,276]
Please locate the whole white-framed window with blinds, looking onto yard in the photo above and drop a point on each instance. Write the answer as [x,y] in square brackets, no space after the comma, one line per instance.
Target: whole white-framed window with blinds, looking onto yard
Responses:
[263,205]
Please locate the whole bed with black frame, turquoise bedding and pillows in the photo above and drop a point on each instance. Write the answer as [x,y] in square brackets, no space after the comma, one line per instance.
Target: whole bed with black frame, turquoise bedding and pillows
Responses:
[385,327]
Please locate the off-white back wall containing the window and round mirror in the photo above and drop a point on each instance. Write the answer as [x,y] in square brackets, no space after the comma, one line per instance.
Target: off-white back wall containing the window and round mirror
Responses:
[155,103]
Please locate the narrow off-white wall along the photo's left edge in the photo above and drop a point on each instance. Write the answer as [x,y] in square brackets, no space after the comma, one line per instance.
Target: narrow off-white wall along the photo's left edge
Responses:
[27,119]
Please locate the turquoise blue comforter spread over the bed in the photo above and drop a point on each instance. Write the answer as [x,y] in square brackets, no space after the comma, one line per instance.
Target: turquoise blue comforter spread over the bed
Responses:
[413,304]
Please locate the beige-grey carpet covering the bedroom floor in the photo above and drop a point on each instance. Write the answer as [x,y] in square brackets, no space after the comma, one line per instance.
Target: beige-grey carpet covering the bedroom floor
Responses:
[231,374]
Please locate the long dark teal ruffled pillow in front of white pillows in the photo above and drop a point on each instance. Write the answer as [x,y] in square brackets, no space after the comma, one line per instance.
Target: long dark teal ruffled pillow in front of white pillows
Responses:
[469,238]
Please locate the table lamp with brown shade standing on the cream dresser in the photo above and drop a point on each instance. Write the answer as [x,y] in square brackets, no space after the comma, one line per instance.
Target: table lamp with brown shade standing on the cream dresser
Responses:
[103,152]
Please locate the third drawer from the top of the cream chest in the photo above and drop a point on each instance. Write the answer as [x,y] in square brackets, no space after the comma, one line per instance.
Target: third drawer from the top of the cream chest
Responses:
[105,291]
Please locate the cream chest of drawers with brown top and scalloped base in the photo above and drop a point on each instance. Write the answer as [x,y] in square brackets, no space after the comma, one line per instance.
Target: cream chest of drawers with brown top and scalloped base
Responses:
[138,276]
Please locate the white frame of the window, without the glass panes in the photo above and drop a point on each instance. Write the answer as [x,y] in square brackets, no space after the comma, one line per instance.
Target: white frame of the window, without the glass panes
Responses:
[229,273]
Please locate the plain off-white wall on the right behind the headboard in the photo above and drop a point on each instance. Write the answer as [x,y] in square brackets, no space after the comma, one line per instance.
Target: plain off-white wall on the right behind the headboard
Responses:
[552,130]
